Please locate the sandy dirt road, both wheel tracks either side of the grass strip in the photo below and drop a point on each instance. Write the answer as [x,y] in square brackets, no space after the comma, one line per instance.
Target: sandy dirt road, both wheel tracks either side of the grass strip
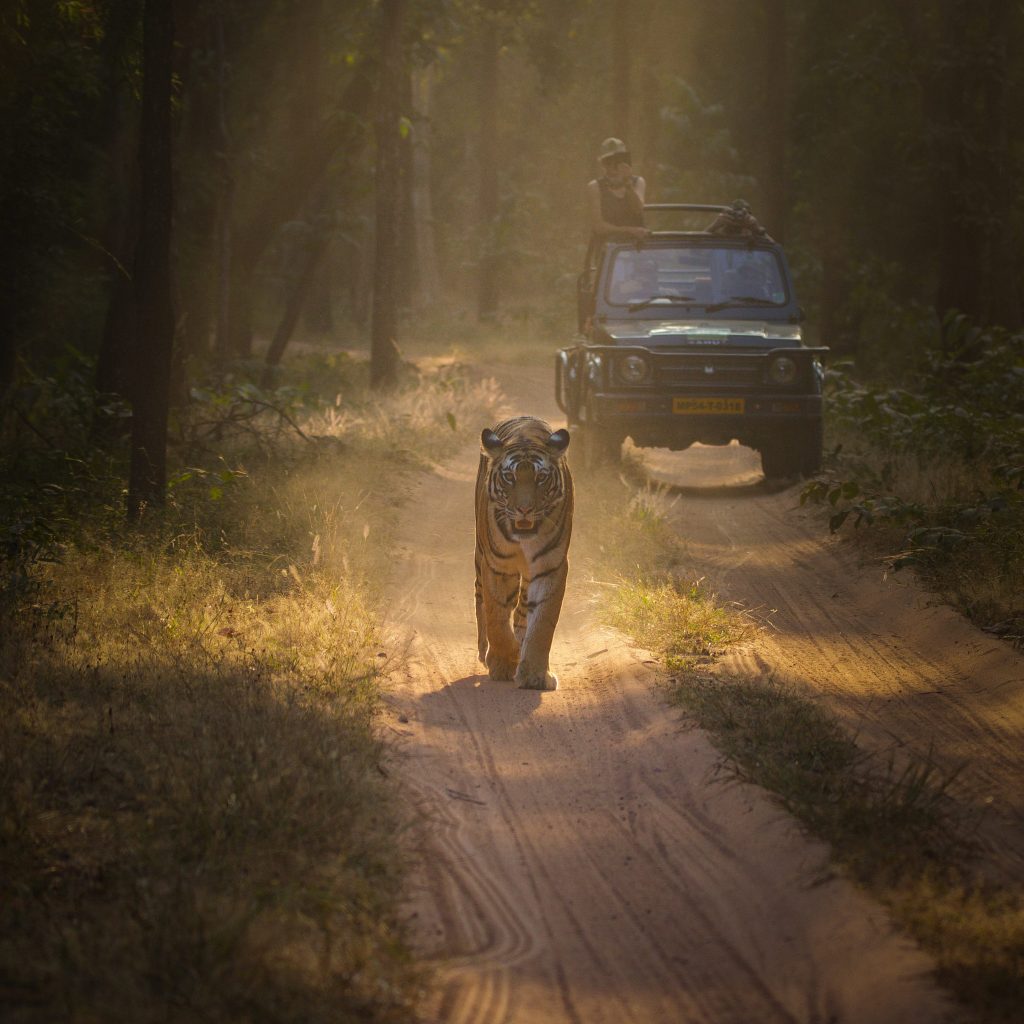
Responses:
[584,862]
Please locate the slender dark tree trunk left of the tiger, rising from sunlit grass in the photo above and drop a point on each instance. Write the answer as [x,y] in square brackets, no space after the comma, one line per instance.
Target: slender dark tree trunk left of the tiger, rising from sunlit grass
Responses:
[385,356]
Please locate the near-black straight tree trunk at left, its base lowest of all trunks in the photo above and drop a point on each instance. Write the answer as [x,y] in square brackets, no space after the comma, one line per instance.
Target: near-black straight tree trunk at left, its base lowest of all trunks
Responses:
[155,313]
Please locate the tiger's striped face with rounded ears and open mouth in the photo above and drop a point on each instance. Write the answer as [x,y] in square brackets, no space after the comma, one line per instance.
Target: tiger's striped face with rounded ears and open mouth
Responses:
[526,484]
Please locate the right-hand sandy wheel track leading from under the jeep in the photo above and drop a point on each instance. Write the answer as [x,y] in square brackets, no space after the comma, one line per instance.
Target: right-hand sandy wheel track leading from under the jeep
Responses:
[906,673]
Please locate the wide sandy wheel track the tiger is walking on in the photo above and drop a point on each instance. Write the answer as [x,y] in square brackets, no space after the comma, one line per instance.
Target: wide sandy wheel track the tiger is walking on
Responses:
[583,862]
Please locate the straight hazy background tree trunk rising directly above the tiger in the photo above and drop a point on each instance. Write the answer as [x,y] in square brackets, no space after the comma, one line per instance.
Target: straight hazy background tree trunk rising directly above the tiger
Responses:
[487,307]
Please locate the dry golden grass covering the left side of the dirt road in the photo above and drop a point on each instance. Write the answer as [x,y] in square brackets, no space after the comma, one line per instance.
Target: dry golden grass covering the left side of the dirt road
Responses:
[196,817]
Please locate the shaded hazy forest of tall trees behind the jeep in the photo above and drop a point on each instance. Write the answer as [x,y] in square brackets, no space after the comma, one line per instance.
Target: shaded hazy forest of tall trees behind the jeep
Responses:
[185,185]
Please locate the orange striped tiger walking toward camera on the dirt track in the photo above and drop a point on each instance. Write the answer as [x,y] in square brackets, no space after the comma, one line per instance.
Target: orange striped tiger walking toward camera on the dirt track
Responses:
[524,527]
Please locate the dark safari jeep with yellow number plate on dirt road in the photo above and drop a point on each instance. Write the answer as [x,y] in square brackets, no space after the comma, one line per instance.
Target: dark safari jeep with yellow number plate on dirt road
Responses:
[692,336]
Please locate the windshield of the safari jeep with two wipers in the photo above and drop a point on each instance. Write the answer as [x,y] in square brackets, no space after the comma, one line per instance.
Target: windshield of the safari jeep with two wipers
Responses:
[715,278]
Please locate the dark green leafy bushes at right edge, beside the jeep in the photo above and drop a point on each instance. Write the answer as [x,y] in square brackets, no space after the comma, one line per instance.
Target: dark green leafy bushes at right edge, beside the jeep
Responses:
[941,465]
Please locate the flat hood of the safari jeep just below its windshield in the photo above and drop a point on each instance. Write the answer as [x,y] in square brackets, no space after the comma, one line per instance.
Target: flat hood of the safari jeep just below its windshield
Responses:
[699,334]
